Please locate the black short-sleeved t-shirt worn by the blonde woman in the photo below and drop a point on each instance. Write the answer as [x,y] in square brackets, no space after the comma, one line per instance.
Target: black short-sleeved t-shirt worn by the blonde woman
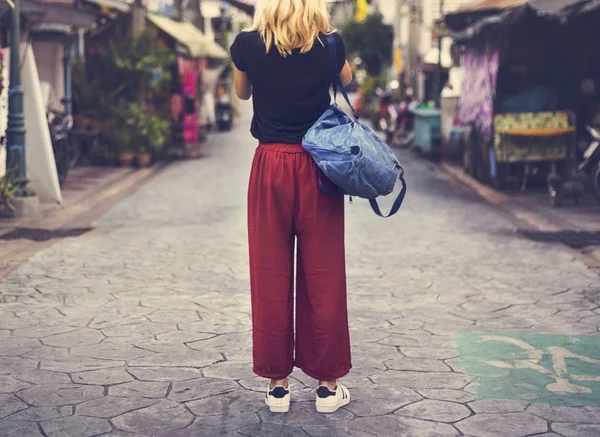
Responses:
[289,93]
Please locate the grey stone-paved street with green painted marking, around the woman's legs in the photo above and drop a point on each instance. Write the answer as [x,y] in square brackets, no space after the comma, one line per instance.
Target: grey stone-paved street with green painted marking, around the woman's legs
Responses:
[459,327]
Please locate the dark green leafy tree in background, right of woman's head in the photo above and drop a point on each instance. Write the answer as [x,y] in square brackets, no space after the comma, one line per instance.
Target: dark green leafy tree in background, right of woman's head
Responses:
[371,41]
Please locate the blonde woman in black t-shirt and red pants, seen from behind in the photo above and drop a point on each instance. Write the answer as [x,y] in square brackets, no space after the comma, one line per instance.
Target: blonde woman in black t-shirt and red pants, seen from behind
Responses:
[282,62]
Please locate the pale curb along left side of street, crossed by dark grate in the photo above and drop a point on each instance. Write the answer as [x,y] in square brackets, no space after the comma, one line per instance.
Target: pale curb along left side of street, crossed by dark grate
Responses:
[77,215]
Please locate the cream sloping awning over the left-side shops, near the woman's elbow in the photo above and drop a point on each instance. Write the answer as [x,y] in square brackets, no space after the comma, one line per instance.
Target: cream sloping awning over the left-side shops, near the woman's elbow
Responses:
[191,41]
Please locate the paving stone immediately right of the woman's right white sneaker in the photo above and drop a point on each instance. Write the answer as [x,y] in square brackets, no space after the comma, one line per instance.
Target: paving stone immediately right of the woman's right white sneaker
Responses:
[376,400]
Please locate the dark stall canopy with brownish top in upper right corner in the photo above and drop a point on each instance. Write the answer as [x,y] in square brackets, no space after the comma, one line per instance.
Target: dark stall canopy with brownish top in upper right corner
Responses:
[472,19]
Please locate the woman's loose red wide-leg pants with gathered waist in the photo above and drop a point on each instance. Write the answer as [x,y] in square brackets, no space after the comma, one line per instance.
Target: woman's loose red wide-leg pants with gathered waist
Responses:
[286,205]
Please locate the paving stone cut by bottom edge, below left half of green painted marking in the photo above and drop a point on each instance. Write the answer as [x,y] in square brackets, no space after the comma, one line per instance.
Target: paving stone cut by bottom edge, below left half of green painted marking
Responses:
[506,425]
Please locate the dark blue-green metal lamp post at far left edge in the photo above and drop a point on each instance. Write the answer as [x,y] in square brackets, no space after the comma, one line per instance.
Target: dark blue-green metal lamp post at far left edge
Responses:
[15,131]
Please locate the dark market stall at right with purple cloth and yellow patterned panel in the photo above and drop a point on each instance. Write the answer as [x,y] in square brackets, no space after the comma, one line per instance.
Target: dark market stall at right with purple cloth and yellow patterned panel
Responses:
[522,127]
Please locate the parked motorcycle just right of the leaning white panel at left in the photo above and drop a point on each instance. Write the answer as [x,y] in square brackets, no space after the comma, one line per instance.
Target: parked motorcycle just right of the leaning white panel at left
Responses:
[66,151]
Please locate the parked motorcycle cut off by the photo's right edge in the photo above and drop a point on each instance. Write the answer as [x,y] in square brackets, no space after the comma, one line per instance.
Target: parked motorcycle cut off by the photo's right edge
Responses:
[585,178]
